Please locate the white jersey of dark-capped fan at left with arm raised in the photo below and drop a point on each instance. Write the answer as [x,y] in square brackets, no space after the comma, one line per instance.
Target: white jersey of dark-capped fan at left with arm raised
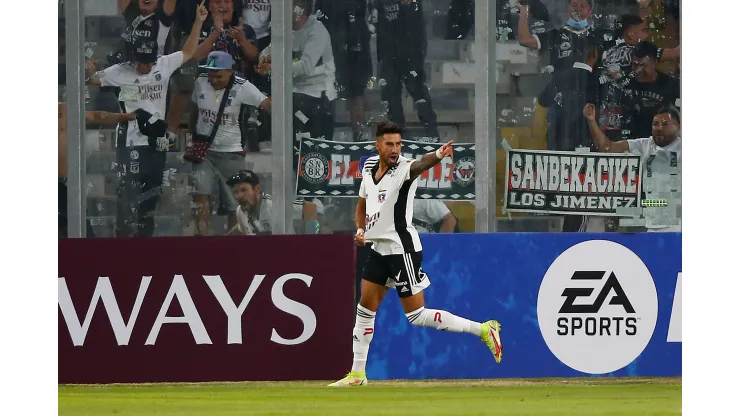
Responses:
[145,91]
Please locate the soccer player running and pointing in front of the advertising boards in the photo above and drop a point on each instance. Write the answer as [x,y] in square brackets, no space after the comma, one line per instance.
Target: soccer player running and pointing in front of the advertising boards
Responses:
[383,217]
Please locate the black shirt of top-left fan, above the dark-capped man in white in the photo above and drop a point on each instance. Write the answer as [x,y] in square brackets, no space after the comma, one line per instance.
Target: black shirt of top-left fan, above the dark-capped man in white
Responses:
[155,27]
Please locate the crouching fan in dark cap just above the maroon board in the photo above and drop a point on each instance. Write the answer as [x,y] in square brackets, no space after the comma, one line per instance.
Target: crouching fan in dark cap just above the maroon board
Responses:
[255,208]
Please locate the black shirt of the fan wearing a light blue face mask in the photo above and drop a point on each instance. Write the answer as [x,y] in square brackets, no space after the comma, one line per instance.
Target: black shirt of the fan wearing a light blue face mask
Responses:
[567,46]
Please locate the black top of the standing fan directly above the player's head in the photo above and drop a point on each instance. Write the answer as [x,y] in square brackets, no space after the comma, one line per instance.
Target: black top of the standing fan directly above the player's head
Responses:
[400,30]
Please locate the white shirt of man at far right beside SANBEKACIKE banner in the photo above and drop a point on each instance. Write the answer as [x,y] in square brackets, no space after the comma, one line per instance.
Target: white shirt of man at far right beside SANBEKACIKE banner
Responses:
[657,165]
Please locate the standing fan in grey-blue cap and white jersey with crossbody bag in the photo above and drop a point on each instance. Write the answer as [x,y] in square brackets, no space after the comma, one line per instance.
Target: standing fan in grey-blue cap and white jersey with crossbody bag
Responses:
[225,156]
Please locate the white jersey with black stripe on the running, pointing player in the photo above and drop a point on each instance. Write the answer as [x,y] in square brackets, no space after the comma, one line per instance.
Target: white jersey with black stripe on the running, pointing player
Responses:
[389,207]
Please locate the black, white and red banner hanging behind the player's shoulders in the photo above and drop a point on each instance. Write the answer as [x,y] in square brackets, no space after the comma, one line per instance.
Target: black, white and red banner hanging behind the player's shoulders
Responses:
[327,168]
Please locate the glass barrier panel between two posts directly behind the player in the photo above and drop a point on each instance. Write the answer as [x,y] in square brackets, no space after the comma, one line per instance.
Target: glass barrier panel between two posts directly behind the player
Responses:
[392,60]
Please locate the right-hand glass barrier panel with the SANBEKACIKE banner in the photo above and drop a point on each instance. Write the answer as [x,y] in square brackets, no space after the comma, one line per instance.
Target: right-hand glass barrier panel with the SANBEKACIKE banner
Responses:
[555,58]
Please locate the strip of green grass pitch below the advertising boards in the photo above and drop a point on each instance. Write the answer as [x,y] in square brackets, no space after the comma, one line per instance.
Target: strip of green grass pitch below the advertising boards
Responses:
[622,396]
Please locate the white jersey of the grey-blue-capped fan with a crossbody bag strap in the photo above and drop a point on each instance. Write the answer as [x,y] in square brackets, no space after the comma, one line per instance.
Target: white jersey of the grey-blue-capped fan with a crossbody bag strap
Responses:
[228,137]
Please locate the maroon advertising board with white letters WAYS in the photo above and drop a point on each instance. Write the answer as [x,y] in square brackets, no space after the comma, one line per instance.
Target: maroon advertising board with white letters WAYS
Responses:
[205,309]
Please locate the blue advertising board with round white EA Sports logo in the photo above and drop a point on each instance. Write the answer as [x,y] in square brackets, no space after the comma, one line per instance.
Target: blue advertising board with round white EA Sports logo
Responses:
[570,305]
